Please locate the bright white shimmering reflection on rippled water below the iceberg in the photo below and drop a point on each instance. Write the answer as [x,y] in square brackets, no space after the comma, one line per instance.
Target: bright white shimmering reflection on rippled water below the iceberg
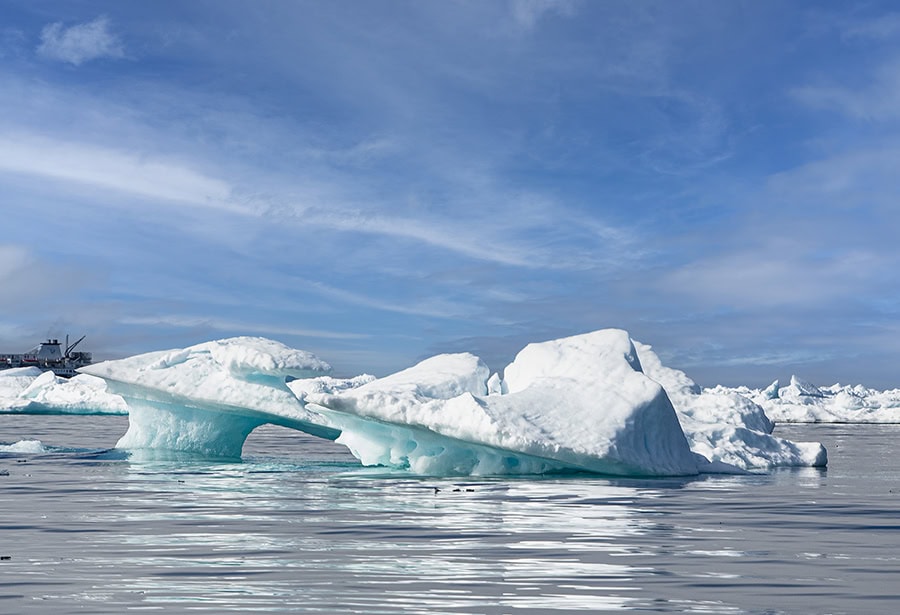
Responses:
[417,545]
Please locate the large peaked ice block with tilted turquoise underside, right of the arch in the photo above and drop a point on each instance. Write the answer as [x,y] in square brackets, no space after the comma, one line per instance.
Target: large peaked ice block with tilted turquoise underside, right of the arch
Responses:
[580,403]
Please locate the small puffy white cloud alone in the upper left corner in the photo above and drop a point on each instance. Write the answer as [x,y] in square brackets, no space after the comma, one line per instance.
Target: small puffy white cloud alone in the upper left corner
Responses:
[80,43]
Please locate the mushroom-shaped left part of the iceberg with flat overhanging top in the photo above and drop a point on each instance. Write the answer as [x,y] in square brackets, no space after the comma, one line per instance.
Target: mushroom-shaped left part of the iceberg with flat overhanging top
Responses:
[207,398]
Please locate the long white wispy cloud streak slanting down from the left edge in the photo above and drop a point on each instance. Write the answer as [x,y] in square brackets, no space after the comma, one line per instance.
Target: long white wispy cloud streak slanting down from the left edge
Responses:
[520,241]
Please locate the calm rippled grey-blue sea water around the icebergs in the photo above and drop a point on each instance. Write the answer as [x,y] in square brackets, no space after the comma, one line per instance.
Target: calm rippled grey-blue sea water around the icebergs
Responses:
[298,526]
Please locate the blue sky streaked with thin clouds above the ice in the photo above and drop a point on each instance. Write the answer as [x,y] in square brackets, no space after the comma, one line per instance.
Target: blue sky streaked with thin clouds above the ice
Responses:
[381,181]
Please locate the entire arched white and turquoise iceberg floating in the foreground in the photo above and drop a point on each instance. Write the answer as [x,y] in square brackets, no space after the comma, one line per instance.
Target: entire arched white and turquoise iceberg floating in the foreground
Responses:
[580,403]
